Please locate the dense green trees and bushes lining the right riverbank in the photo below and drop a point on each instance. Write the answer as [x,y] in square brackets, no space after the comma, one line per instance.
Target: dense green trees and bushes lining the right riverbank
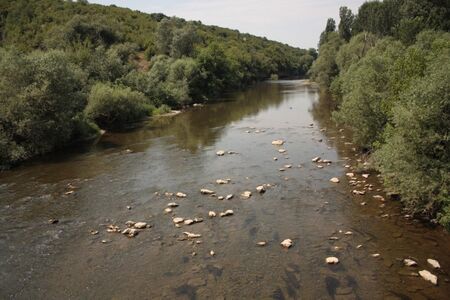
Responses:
[388,70]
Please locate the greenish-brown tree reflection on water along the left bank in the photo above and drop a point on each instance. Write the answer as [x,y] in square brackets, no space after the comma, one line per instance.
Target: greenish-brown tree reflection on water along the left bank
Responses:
[200,127]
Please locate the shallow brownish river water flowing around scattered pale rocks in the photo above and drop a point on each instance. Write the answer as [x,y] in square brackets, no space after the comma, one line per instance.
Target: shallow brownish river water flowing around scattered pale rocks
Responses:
[39,260]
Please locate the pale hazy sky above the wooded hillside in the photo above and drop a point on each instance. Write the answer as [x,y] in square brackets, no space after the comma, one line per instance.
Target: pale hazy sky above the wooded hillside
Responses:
[294,22]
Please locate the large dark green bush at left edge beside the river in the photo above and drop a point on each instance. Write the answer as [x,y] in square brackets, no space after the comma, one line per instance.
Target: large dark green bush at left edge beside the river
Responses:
[40,96]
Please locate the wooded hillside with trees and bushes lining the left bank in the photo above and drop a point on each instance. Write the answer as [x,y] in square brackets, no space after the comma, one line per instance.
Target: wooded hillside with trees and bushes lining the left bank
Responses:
[69,68]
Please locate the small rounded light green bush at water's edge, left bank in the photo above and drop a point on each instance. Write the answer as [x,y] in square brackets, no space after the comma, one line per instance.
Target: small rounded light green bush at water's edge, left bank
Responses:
[111,106]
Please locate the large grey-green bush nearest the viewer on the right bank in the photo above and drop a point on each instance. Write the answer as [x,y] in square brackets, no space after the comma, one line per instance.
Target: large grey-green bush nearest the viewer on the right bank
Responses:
[415,160]
